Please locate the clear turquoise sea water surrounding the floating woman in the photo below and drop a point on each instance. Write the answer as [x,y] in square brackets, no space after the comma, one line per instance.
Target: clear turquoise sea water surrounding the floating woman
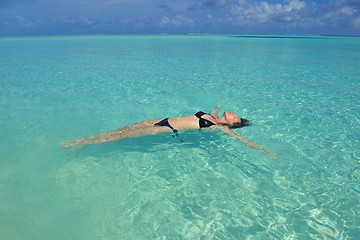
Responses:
[302,95]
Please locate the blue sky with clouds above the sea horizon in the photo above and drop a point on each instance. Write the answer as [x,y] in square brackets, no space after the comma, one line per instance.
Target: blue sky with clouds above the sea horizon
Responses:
[301,17]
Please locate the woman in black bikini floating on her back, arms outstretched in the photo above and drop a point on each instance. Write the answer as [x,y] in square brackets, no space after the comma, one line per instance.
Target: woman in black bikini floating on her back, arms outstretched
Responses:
[150,127]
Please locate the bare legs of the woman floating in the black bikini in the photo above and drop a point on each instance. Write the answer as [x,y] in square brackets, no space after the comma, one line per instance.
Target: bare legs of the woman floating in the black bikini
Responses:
[135,130]
